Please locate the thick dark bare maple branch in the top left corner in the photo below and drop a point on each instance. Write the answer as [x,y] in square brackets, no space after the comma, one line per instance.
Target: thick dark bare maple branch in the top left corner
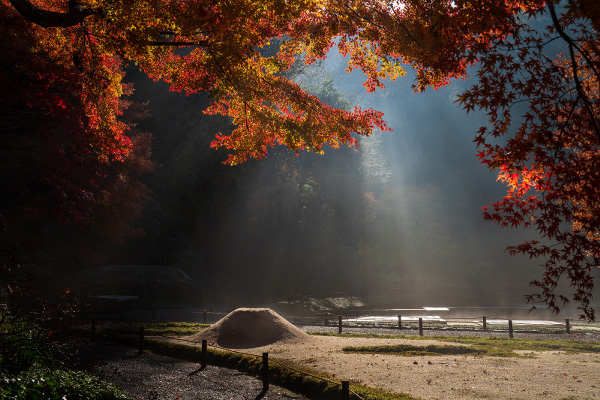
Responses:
[47,19]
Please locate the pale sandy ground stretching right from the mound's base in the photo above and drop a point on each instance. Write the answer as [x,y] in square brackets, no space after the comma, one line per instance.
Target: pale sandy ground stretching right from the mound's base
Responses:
[550,375]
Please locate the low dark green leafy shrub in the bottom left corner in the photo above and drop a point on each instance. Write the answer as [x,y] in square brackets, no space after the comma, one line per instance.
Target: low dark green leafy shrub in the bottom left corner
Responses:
[48,384]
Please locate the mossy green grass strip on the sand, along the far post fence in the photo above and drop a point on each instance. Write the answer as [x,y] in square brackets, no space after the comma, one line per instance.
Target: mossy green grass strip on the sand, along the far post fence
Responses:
[485,346]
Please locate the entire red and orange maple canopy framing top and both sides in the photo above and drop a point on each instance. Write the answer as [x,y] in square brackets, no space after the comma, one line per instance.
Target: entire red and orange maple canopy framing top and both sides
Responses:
[536,65]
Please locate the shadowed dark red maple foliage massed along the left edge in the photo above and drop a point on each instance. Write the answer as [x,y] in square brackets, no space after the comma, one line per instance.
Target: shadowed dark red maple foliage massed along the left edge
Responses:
[70,156]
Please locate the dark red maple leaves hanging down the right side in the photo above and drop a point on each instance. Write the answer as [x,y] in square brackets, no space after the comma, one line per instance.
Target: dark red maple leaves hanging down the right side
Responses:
[539,88]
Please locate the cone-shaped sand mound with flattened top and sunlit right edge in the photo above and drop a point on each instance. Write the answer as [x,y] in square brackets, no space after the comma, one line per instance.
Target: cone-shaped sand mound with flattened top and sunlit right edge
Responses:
[250,327]
